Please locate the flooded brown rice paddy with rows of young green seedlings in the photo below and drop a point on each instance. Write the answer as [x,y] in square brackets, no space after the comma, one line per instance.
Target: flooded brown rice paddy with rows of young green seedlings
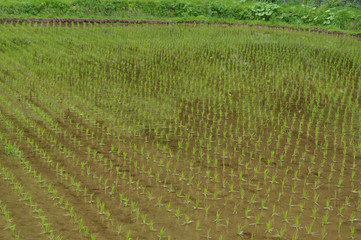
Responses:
[178,132]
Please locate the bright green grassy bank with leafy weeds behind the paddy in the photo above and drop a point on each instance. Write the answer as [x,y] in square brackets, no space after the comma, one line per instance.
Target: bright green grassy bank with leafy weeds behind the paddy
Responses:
[337,18]
